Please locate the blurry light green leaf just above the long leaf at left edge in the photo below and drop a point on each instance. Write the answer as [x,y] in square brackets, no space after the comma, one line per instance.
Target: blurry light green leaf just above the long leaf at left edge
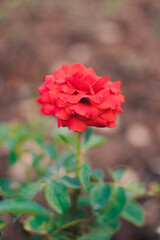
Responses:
[30,190]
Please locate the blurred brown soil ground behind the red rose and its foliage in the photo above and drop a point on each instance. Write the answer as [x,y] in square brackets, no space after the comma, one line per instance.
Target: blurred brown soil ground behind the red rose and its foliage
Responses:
[119,38]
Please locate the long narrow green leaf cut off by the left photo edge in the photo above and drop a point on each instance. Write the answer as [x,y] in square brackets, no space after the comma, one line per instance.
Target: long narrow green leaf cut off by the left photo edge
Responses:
[22,206]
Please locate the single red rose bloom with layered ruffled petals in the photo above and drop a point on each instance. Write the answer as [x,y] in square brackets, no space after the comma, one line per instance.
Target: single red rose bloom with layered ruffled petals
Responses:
[79,98]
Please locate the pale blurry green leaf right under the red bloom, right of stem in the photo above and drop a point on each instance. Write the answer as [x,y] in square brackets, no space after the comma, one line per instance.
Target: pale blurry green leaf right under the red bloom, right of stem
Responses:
[94,141]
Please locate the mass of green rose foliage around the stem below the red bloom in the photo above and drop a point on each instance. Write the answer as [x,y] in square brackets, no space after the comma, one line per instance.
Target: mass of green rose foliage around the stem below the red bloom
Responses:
[82,204]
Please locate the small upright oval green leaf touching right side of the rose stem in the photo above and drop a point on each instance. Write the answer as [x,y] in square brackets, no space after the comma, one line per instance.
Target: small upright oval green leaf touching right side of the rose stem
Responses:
[85,174]
